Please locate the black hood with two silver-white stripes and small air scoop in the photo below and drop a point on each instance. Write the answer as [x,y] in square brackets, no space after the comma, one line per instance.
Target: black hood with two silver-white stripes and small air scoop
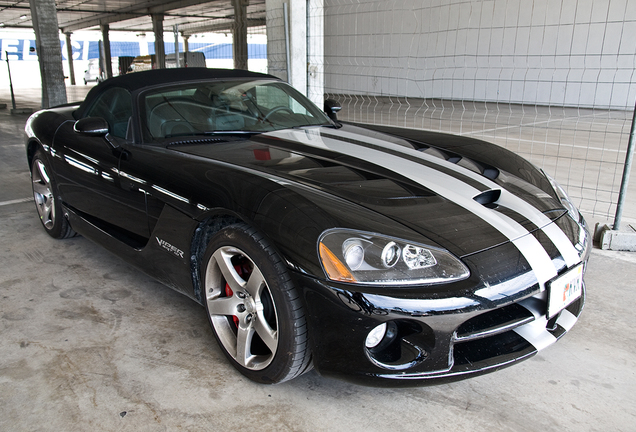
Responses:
[463,203]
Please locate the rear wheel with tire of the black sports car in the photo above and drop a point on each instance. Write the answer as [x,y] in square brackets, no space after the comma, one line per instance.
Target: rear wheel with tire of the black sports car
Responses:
[47,201]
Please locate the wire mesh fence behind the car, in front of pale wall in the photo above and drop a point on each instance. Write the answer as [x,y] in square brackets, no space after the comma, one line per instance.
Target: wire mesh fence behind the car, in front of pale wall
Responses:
[551,81]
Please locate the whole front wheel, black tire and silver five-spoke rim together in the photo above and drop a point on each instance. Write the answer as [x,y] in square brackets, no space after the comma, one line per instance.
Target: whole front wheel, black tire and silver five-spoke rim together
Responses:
[255,311]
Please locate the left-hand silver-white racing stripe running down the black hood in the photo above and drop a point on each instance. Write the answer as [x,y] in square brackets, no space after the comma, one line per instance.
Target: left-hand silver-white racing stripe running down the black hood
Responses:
[444,185]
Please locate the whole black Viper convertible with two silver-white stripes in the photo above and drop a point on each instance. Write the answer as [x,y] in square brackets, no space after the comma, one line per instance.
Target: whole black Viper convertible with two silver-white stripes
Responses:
[375,254]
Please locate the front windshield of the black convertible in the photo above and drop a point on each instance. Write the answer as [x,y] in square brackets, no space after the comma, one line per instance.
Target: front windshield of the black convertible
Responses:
[233,106]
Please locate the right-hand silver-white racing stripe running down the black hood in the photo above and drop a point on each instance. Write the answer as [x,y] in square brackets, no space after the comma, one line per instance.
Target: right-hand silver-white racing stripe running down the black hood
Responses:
[507,199]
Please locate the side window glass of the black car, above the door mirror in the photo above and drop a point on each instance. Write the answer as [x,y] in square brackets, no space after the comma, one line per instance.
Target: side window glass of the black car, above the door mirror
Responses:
[114,106]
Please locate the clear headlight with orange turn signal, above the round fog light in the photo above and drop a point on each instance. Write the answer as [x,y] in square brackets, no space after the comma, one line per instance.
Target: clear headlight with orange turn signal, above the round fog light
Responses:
[364,257]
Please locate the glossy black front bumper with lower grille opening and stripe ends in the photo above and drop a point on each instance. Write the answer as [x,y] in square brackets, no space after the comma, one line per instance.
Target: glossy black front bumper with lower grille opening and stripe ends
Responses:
[438,340]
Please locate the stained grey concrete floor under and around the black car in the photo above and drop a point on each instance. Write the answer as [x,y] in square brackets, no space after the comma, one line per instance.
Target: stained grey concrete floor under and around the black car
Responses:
[90,343]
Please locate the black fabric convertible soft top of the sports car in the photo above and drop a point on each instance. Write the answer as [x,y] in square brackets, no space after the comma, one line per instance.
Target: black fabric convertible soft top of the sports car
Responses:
[138,80]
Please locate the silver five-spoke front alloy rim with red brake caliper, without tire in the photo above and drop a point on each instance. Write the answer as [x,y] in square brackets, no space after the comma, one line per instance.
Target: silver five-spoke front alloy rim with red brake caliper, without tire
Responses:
[241,308]
